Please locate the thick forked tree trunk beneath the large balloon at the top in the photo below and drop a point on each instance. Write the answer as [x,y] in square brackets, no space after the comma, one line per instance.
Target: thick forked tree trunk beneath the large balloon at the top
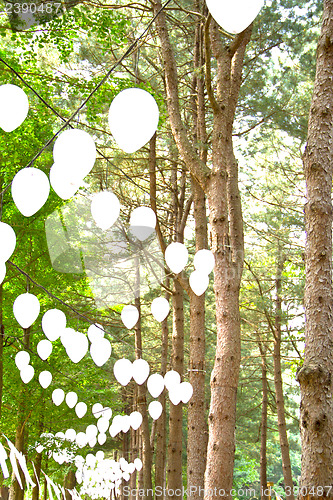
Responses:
[220,184]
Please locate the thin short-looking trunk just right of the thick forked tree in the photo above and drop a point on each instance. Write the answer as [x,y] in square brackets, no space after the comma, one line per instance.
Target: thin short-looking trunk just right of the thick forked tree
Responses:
[263,425]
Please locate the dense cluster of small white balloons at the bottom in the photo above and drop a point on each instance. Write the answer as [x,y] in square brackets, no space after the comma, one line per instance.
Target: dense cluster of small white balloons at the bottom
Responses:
[98,476]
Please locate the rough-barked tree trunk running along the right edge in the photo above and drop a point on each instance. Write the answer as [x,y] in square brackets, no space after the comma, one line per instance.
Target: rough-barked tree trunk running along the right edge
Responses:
[315,376]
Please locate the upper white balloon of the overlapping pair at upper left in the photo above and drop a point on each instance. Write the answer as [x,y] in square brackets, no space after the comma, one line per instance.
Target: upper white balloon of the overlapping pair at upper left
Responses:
[75,148]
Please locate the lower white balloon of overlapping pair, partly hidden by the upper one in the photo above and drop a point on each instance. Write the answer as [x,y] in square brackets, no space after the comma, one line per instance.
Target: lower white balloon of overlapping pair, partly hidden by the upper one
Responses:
[64,181]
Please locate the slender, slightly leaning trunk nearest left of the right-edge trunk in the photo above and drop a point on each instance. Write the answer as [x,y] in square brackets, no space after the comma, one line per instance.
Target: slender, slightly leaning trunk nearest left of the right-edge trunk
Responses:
[284,444]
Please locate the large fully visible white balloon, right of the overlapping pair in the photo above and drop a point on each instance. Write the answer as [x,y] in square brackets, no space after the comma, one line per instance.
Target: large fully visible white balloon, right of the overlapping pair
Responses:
[133,118]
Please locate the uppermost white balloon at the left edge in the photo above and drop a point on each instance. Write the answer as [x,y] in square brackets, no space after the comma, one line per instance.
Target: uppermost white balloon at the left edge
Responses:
[14,107]
